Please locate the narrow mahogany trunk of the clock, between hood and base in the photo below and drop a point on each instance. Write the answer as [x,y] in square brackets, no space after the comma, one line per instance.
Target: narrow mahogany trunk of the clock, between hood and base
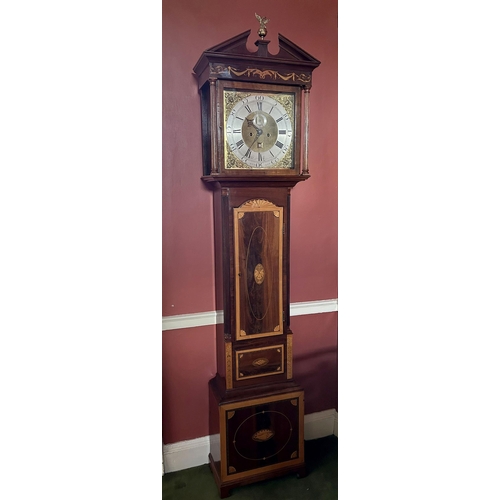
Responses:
[252,221]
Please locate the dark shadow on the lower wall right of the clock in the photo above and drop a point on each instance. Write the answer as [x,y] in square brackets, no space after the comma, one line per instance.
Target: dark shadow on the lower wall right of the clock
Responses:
[317,373]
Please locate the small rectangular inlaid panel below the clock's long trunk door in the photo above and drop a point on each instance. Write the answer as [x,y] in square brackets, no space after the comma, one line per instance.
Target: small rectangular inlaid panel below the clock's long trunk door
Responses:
[260,362]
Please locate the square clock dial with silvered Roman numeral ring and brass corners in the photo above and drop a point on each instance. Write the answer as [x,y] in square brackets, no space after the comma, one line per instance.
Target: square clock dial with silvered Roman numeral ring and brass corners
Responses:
[259,130]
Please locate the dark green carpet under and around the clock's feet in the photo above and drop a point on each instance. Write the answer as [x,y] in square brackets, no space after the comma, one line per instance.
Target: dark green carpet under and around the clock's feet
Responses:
[321,455]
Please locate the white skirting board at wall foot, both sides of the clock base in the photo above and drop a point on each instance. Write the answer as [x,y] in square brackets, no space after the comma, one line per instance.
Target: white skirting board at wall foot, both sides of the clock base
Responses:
[186,454]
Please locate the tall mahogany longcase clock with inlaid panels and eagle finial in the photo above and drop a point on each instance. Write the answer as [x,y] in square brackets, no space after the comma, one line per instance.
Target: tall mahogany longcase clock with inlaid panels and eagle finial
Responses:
[255,123]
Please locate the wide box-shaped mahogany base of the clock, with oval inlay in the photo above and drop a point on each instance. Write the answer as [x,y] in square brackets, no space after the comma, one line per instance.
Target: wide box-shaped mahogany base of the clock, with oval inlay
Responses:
[255,434]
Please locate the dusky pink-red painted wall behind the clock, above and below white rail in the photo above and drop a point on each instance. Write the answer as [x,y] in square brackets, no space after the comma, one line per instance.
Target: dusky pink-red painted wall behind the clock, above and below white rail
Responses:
[189,28]
